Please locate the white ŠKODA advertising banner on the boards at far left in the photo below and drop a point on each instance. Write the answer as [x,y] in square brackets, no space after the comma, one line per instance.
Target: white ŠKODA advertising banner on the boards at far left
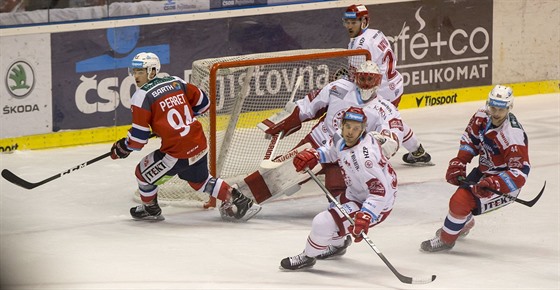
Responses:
[25,95]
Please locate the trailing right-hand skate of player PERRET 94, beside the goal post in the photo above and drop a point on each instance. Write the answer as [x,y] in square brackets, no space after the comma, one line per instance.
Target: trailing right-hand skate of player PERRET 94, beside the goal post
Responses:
[245,208]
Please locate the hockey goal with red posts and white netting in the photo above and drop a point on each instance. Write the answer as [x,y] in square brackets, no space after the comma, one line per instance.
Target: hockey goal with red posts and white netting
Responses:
[243,91]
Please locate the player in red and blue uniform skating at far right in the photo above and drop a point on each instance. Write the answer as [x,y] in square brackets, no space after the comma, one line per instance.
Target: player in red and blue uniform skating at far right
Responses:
[496,136]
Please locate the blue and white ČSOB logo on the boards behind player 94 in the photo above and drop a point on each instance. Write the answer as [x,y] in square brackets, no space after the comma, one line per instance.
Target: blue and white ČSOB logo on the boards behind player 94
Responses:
[110,90]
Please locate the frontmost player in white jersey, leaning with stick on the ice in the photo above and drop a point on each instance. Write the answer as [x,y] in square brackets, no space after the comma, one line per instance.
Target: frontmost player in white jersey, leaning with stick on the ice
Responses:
[368,199]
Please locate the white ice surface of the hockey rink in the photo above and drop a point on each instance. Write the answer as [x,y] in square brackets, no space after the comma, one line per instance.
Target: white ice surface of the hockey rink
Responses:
[76,233]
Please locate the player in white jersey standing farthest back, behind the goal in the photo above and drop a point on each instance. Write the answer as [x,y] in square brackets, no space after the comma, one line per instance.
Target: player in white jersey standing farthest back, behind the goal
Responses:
[356,22]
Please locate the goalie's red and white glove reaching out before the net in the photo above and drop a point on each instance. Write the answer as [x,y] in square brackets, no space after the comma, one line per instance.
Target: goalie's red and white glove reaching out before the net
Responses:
[286,121]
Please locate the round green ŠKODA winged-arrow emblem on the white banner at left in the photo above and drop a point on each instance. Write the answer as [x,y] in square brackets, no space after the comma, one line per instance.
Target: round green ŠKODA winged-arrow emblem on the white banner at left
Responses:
[20,79]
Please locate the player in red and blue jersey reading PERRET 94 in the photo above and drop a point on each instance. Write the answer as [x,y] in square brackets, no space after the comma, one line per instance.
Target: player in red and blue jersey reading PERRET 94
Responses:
[168,106]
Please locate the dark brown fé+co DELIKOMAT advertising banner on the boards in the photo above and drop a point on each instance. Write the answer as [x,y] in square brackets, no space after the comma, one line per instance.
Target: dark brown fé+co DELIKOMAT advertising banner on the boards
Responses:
[439,44]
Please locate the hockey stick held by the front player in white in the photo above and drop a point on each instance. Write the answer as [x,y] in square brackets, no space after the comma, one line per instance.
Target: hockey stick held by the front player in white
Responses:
[401,277]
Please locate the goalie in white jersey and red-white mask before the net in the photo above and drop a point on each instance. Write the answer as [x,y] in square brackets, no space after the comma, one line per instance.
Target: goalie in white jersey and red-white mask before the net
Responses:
[328,105]
